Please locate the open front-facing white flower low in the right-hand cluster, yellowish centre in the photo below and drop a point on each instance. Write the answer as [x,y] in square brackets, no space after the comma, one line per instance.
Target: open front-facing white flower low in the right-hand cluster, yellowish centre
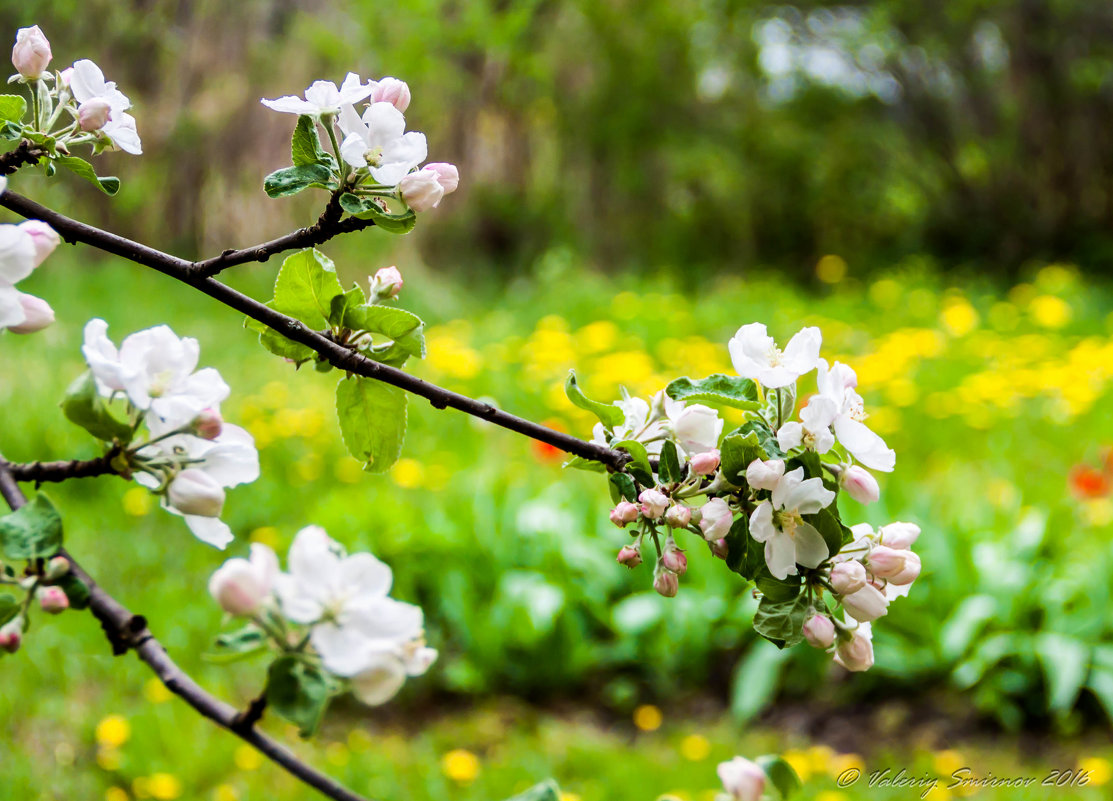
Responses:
[779,523]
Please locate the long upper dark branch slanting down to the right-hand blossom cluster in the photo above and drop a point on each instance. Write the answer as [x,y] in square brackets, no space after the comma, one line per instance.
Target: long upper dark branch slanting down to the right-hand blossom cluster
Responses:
[338,355]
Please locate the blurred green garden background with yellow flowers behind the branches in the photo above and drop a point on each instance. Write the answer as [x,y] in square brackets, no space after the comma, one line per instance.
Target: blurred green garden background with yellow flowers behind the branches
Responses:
[931,185]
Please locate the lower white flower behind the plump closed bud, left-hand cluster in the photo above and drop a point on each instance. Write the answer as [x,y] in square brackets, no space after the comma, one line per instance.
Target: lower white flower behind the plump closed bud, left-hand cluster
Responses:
[228,461]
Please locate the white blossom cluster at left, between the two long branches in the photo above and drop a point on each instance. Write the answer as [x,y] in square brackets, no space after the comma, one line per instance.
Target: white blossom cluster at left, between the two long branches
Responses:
[191,456]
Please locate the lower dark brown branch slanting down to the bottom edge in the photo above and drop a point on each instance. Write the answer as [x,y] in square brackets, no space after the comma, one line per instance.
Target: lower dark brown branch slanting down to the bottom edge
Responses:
[130,632]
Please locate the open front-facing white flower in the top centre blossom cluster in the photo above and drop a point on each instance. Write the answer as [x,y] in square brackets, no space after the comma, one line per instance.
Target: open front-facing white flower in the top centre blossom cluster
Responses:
[379,142]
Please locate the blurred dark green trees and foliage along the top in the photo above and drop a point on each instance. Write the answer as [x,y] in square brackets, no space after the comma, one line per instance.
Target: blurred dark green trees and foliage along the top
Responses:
[703,134]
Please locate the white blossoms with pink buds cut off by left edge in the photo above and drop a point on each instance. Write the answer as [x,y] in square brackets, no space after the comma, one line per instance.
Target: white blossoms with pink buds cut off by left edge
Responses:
[23,249]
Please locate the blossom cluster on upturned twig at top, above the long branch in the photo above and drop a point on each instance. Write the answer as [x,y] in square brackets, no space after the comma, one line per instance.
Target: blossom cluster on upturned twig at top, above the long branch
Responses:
[382,156]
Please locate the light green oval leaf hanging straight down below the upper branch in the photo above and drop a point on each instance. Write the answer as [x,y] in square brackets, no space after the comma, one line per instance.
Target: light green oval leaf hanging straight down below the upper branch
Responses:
[373,421]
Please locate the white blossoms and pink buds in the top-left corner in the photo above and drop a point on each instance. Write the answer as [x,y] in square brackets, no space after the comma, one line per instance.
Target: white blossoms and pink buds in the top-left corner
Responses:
[75,106]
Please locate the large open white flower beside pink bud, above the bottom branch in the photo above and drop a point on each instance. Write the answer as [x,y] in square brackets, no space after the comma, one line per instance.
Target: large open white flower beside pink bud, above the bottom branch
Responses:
[346,599]
